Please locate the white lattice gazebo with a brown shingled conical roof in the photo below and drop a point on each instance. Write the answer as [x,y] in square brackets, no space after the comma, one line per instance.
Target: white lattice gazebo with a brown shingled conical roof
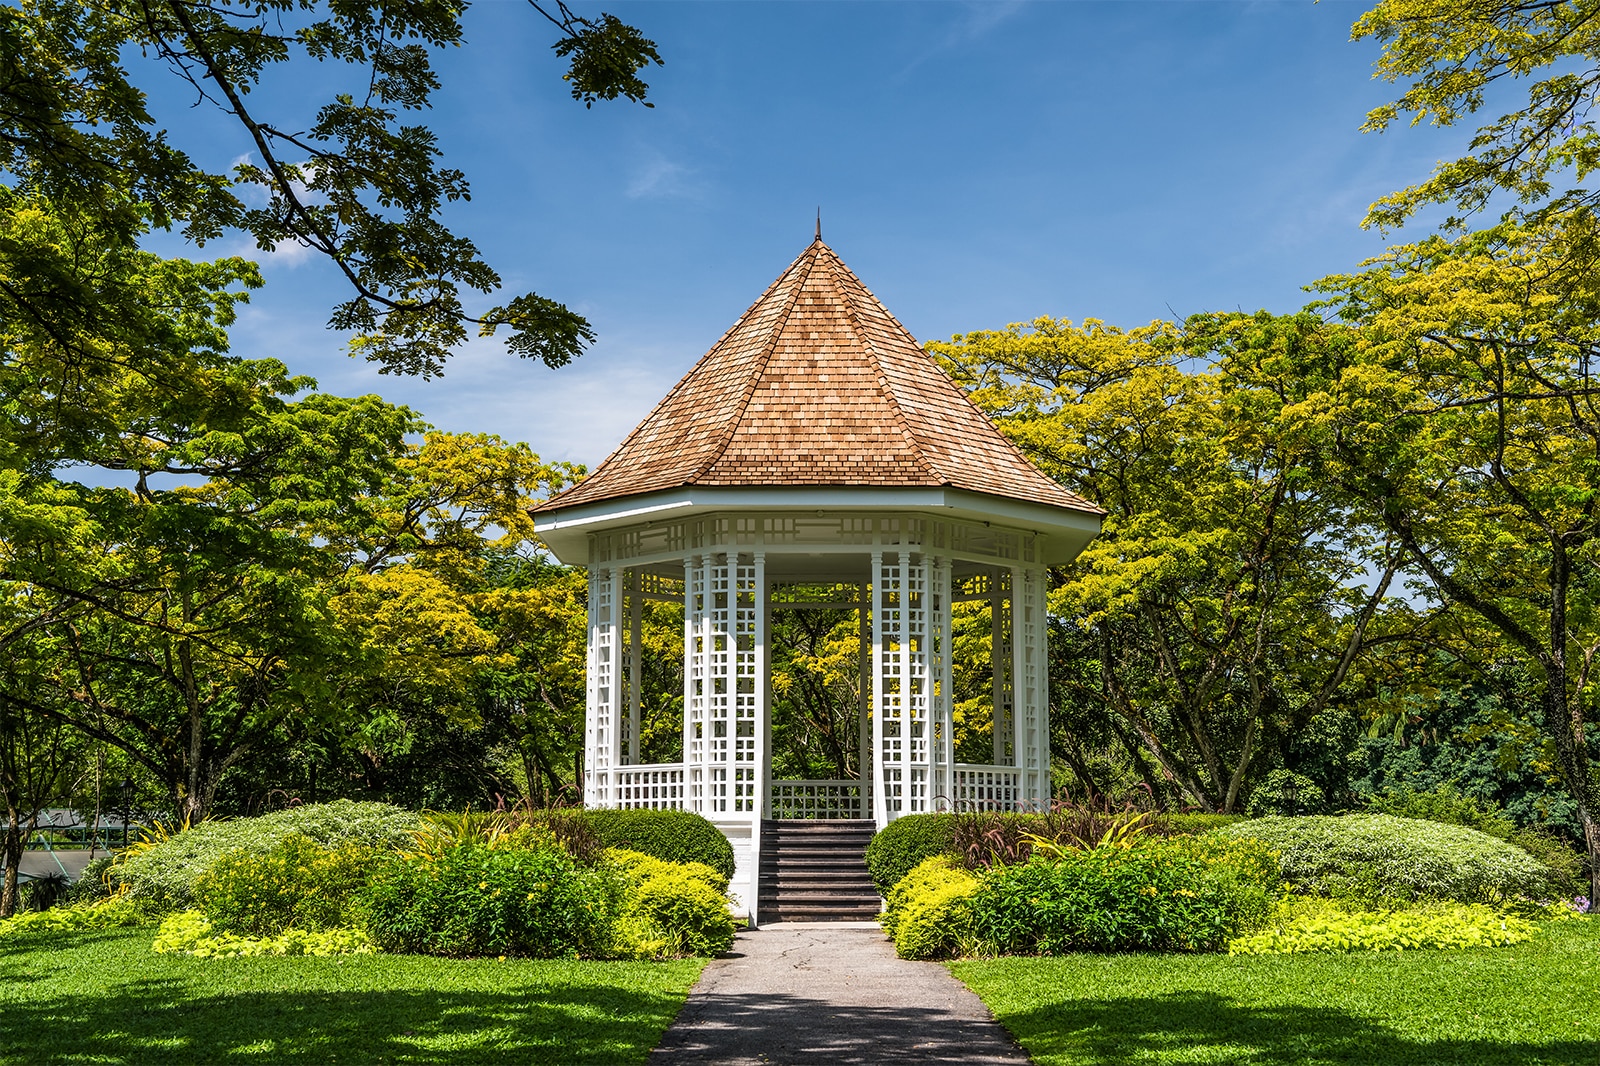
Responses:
[817,457]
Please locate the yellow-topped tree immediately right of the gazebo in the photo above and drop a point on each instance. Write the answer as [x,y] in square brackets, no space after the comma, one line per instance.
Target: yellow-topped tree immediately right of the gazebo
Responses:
[1223,596]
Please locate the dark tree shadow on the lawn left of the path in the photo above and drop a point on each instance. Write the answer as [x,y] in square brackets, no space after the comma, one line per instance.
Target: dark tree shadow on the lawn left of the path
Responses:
[177,1020]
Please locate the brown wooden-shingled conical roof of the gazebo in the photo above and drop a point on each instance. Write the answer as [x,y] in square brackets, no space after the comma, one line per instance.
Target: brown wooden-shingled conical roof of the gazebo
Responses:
[817,385]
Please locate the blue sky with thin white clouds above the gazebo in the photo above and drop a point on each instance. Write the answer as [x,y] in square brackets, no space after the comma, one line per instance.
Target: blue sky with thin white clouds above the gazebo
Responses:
[977,164]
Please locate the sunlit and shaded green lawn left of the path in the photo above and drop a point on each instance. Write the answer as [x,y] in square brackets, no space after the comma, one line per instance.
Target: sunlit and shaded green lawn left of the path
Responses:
[105,998]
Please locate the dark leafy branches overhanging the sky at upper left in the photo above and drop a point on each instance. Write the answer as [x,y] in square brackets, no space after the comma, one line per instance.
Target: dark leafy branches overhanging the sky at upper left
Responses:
[359,185]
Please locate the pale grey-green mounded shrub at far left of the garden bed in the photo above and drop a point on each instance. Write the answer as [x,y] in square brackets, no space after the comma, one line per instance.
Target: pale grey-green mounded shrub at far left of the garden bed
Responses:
[169,872]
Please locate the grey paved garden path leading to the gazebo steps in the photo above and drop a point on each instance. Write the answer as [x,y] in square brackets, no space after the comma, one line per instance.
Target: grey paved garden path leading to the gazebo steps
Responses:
[830,993]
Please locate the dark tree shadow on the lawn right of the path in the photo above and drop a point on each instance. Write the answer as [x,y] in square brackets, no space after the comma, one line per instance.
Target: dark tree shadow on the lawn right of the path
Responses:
[1210,1028]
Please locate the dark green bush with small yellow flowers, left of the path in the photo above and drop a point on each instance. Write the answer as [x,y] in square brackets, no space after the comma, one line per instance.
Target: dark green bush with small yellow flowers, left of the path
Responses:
[494,902]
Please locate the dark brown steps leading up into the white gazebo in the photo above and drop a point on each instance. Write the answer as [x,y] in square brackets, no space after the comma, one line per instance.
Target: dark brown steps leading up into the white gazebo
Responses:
[814,872]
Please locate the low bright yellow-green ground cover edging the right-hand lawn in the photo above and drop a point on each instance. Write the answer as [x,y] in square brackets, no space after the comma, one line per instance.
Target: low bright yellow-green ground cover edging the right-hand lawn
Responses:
[1300,924]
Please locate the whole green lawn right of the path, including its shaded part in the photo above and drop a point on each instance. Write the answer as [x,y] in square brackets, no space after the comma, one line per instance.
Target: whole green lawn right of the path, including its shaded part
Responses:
[1530,1004]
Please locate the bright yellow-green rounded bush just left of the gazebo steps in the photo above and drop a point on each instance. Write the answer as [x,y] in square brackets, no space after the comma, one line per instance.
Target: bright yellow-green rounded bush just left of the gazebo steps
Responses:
[673,908]
